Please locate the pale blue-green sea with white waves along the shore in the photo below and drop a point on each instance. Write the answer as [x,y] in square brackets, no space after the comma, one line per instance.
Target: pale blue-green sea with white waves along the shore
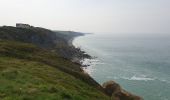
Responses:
[140,64]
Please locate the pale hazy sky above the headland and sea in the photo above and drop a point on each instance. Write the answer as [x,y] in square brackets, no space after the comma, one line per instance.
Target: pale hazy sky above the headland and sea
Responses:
[97,16]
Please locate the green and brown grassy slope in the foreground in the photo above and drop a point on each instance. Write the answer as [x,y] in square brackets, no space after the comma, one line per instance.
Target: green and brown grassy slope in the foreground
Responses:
[31,73]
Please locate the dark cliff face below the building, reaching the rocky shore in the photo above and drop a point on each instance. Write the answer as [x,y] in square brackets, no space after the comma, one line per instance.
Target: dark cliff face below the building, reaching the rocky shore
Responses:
[58,41]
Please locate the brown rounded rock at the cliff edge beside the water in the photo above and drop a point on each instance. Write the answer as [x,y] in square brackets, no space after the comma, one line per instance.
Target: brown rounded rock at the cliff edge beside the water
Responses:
[117,93]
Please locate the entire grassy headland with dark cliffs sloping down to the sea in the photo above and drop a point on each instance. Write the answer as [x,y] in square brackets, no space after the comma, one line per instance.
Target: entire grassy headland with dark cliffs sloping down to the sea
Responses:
[35,62]
